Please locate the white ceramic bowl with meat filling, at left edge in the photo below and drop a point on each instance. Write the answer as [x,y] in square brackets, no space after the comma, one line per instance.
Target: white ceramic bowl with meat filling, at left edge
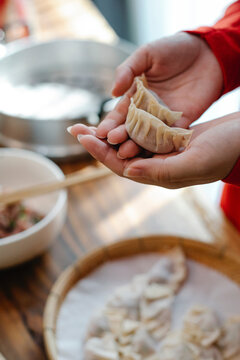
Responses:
[20,168]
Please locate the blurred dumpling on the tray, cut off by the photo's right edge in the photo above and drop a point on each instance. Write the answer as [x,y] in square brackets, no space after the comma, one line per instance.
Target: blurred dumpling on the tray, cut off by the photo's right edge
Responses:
[229,342]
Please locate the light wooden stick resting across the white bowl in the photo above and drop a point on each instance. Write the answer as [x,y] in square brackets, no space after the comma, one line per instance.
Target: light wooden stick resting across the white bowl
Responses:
[75,178]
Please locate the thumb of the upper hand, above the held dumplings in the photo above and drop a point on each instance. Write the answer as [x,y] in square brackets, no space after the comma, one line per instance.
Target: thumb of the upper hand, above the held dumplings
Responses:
[136,64]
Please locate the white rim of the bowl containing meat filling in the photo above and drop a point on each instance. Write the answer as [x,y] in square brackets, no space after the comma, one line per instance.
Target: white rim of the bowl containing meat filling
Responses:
[59,204]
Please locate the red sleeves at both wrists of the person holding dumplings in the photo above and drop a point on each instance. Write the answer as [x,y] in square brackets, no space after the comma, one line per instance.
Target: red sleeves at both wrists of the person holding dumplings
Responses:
[224,40]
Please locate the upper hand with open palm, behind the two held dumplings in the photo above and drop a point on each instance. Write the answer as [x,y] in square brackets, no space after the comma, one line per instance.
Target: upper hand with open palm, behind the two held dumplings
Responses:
[181,69]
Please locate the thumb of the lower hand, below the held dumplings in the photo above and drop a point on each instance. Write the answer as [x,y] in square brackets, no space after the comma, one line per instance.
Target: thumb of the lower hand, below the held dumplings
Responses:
[172,171]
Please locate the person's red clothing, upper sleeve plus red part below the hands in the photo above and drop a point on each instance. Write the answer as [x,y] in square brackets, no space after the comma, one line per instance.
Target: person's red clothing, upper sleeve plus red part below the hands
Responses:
[224,40]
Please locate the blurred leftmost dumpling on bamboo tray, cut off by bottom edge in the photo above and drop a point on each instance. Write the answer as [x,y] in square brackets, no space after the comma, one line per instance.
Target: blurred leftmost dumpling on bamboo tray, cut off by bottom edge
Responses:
[101,349]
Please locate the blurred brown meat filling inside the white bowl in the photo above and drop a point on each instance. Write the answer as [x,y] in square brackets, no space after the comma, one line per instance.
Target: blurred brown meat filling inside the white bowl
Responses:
[15,218]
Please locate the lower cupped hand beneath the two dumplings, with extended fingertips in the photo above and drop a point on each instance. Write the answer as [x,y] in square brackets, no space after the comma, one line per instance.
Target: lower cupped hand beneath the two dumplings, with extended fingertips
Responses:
[210,156]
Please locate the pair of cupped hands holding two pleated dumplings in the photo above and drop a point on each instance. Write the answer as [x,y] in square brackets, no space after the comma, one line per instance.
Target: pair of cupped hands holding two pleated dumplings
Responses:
[183,71]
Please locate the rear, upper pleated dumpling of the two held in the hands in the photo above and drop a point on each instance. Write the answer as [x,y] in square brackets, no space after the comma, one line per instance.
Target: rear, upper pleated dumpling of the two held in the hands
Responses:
[145,100]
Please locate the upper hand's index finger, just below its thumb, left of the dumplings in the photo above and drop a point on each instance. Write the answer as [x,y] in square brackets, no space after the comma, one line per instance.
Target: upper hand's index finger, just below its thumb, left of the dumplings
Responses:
[114,118]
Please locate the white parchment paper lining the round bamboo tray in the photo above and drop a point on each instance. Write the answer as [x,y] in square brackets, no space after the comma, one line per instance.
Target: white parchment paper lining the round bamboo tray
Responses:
[204,287]
